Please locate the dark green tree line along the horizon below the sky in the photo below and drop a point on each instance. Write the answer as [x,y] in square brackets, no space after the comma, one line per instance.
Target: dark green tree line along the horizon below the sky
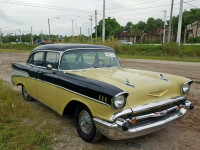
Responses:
[114,29]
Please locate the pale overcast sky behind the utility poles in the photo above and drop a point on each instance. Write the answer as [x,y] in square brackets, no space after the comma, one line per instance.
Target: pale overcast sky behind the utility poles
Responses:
[23,14]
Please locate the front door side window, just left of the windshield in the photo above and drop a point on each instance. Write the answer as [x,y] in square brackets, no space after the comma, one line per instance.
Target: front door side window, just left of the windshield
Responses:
[52,58]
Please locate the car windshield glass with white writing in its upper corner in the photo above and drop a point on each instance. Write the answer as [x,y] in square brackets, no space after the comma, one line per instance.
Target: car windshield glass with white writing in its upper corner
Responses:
[85,59]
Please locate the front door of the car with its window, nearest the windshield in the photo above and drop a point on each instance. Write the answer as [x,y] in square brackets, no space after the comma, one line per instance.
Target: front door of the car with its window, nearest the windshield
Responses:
[48,80]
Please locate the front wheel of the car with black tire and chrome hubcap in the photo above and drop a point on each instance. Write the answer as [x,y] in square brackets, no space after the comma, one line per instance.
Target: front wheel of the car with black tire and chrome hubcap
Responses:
[85,125]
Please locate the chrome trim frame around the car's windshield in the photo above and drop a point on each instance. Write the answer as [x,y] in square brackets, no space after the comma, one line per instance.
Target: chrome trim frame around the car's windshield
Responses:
[87,68]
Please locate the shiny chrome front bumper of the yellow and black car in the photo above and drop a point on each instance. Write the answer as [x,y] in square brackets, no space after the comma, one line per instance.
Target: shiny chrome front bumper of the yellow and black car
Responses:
[115,130]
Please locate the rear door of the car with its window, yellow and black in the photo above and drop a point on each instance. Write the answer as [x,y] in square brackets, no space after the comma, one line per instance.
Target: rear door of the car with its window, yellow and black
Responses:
[35,61]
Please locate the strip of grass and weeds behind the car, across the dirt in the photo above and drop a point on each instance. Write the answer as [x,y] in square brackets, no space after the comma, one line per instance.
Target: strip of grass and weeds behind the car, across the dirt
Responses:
[170,51]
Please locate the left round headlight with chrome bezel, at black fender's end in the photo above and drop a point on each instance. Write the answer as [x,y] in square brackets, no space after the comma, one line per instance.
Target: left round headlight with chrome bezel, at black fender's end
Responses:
[123,96]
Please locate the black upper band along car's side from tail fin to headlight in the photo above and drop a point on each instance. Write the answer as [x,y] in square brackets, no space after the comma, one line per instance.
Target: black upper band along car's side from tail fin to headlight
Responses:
[85,86]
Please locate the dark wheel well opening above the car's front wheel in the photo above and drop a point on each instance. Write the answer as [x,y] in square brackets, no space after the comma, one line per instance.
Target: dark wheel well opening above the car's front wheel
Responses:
[71,107]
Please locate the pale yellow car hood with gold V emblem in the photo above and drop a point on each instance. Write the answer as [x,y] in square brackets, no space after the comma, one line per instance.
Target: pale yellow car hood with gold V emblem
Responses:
[148,86]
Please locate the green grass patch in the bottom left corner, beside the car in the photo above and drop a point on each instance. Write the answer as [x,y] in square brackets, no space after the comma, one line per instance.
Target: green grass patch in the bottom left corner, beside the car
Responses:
[17,129]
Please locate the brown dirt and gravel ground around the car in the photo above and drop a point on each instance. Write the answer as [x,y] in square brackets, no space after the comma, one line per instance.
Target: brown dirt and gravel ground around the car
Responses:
[185,134]
